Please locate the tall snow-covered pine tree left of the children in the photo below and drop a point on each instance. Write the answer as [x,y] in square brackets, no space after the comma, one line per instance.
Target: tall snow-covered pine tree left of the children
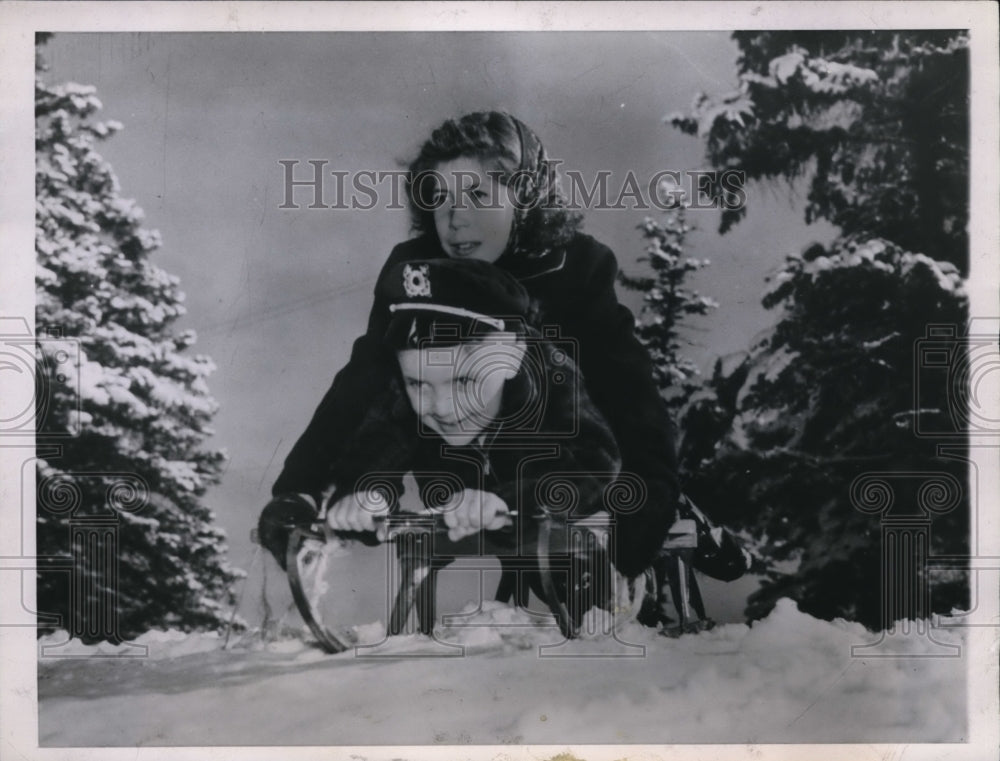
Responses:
[122,433]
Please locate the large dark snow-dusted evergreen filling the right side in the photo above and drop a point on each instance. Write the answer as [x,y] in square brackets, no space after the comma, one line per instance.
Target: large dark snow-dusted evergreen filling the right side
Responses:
[877,122]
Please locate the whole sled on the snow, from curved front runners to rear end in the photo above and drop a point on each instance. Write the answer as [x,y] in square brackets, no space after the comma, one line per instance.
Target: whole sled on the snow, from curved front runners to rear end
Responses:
[565,565]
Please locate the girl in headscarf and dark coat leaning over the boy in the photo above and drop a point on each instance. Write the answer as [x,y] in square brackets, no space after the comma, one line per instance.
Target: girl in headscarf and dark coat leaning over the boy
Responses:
[482,188]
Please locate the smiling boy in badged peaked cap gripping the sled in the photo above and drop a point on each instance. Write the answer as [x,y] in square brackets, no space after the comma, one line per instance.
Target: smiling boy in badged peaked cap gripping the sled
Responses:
[489,417]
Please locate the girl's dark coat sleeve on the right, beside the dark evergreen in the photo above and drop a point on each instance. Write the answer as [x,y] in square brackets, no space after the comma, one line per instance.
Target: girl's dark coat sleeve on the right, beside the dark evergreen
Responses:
[619,377]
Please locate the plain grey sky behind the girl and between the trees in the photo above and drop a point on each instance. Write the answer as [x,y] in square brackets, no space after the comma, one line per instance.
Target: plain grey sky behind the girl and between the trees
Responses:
[277,295]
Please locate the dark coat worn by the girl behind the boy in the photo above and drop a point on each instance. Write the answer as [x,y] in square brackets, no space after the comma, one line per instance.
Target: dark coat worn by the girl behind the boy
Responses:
[573,290]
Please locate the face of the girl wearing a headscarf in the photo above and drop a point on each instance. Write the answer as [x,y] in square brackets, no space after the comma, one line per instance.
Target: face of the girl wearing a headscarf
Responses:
[473,214]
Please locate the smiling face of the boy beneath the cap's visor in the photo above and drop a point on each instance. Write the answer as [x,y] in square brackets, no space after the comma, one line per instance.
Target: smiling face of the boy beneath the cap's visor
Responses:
[456,391]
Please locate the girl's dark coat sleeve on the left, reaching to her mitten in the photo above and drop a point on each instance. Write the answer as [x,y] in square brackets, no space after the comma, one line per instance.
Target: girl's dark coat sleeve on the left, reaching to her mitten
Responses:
[308,467]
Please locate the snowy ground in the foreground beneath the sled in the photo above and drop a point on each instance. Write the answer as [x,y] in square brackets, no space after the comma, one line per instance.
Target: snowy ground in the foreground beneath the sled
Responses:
[788,678]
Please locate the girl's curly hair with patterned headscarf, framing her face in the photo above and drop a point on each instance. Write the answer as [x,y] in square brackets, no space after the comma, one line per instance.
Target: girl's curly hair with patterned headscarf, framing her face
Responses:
[502,143]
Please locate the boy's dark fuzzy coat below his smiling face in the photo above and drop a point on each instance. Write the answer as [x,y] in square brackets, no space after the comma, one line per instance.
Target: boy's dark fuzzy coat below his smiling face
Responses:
[548,447]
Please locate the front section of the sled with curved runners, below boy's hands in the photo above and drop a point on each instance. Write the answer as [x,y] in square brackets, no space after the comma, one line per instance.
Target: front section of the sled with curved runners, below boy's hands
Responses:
[568,569]
